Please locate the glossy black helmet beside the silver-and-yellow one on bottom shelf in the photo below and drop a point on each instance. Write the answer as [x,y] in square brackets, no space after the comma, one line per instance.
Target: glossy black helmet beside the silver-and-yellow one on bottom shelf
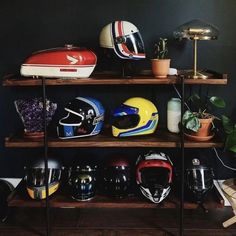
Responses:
[82,182]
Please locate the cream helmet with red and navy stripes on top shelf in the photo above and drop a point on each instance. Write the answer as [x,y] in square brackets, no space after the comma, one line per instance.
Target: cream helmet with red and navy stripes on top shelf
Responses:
[124,38]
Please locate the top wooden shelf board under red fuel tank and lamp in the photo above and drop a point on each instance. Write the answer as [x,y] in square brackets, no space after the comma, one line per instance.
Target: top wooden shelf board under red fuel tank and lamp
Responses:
[13,80]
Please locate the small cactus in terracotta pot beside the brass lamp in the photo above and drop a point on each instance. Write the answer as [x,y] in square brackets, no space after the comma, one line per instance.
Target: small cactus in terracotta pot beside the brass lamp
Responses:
[160,64]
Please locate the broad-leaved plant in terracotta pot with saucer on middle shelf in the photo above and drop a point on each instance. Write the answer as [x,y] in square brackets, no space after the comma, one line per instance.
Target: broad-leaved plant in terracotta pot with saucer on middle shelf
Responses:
[198,124]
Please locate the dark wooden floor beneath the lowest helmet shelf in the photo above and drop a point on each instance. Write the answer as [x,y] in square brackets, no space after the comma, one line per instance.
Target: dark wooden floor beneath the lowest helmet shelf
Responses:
[116,222]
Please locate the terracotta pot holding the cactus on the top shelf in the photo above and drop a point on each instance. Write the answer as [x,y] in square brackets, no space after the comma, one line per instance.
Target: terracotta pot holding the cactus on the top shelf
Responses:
[160,67]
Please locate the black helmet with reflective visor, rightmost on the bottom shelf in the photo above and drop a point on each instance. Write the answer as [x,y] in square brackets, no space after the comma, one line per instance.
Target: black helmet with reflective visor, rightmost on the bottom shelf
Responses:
[199,179]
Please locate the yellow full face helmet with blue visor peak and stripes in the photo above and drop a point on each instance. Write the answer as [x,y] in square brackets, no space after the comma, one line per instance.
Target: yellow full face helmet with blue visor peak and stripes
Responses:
[136,116]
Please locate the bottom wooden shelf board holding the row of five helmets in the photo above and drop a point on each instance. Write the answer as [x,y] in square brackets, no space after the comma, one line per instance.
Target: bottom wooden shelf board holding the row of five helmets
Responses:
[20,198]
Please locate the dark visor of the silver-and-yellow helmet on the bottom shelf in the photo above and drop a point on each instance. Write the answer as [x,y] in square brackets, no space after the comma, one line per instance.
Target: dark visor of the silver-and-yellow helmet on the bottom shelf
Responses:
[36,176]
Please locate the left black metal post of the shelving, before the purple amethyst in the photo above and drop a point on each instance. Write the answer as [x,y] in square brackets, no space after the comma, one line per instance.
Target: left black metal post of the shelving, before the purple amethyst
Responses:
[45,142]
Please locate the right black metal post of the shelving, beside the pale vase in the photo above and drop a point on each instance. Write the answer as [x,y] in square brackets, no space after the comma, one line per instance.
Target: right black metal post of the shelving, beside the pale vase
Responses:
[181,229]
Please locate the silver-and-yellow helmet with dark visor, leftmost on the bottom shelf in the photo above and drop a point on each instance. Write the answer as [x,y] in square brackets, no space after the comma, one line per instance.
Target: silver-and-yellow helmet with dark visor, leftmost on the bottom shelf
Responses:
[36,181]
